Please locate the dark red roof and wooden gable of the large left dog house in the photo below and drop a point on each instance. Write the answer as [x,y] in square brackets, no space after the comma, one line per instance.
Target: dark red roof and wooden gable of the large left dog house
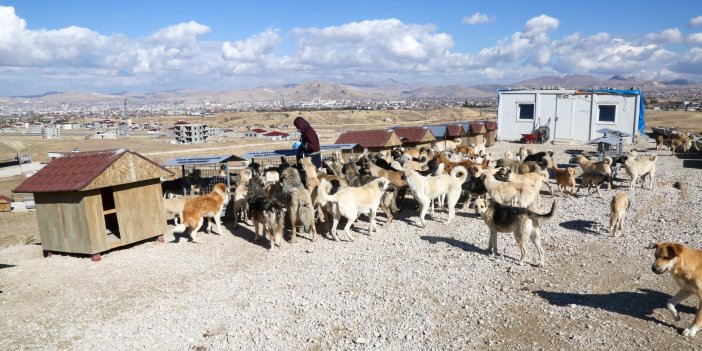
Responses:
[91,170]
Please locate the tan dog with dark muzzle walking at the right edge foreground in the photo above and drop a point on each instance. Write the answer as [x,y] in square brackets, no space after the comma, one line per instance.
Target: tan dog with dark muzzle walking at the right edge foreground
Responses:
[685,265]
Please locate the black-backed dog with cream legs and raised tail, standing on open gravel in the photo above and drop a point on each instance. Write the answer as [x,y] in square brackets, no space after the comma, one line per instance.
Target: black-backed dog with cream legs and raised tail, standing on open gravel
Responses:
[520,221]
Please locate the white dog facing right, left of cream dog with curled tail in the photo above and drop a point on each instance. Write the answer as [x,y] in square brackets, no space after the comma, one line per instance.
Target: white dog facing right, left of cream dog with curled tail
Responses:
[349,202]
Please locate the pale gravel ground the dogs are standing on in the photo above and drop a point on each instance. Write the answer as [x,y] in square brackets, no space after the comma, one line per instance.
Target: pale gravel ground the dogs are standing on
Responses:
[403,288]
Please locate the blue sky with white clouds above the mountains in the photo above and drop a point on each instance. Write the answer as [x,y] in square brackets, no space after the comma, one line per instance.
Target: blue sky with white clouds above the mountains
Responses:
[147,46]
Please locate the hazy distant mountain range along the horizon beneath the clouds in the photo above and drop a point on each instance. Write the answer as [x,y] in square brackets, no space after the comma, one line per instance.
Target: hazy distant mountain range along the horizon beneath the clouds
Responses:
[358,90]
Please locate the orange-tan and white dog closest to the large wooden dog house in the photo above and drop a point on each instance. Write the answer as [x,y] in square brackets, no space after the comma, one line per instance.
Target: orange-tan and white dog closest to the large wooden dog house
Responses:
[201,207]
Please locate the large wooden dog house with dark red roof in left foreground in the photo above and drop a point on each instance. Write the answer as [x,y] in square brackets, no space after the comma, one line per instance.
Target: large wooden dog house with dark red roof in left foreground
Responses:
[92,202]
